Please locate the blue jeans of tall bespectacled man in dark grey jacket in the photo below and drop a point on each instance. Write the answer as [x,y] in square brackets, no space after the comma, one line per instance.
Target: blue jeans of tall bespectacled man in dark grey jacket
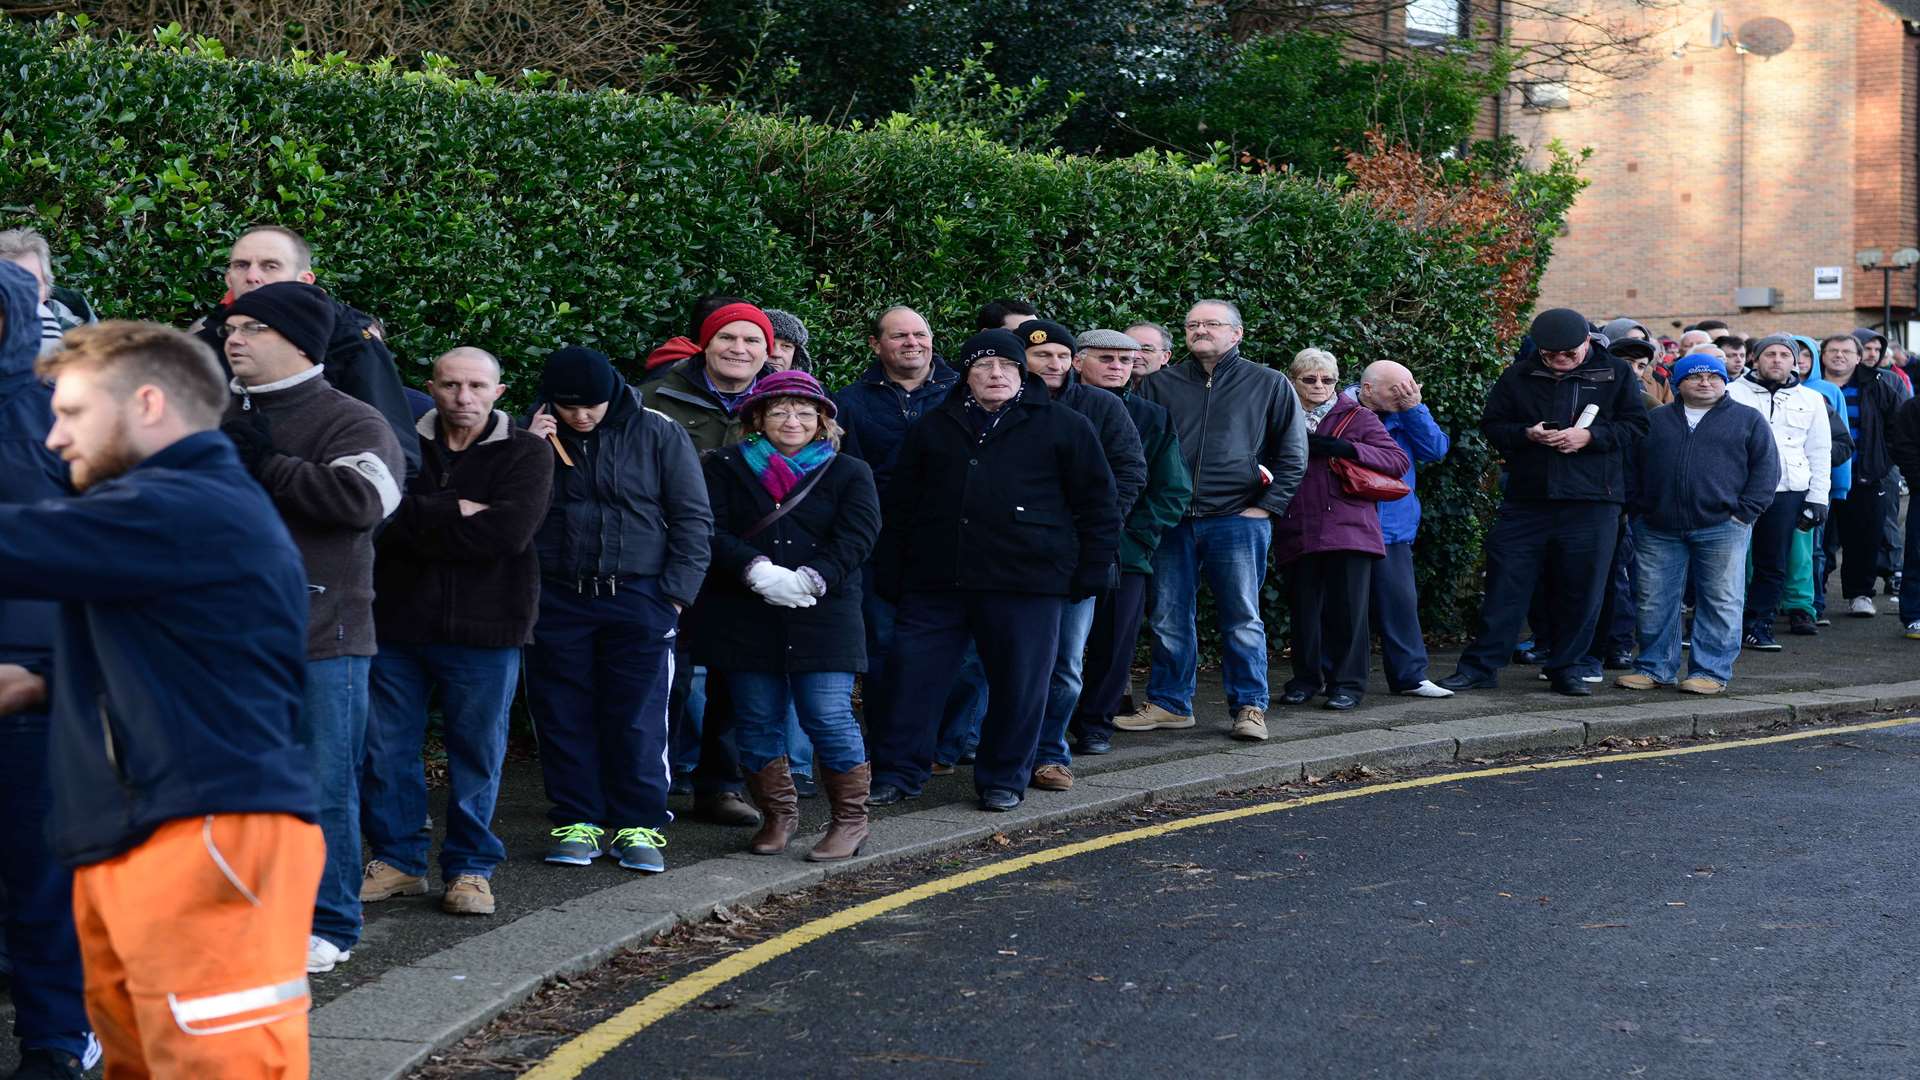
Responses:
[1232,552]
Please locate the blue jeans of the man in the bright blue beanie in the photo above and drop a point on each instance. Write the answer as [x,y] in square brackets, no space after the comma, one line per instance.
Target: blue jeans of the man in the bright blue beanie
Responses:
[1717,558]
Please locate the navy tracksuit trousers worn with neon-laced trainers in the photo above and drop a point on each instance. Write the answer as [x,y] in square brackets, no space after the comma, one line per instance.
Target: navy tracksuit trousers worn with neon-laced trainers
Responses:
[598,681]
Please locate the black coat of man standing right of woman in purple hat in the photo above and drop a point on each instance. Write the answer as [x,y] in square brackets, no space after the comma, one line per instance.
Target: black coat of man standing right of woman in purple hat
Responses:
[1030,508]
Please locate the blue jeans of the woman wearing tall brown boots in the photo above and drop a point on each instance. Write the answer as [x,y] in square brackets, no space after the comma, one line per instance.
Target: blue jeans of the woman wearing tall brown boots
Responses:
[763,700]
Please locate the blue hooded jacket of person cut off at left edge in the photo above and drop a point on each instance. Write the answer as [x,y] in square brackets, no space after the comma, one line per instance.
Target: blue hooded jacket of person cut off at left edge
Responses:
[30,472]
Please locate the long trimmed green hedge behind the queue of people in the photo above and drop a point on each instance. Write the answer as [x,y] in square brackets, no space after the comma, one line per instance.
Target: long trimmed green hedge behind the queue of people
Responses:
[523,220]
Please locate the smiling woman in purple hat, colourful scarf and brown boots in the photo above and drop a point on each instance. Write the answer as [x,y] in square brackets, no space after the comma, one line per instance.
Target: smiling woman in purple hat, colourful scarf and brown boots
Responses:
[780,614]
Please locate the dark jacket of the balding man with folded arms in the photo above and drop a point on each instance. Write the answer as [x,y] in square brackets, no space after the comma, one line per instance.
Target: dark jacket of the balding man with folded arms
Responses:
[452,579]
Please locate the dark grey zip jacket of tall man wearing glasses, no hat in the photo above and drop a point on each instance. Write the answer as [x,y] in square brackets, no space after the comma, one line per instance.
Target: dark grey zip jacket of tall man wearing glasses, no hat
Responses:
[1230,424]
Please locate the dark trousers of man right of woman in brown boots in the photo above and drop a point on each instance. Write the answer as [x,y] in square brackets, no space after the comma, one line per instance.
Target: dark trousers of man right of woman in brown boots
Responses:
[1017,635]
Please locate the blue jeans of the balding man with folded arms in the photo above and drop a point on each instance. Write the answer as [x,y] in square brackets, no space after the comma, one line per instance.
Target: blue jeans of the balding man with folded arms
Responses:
[475,695]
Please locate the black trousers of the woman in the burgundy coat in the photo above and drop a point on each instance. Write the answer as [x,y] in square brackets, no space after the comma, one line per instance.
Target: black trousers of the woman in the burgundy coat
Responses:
[1328,599]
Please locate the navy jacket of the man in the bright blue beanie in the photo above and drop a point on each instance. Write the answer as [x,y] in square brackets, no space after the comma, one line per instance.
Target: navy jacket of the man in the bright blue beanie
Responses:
[1694,479]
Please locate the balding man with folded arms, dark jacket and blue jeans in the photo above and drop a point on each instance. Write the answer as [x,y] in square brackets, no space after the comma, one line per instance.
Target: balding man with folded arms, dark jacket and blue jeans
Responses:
[456,593]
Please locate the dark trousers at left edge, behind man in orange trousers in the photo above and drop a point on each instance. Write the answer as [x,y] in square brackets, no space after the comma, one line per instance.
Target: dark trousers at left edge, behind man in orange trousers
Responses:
[49,1006]
